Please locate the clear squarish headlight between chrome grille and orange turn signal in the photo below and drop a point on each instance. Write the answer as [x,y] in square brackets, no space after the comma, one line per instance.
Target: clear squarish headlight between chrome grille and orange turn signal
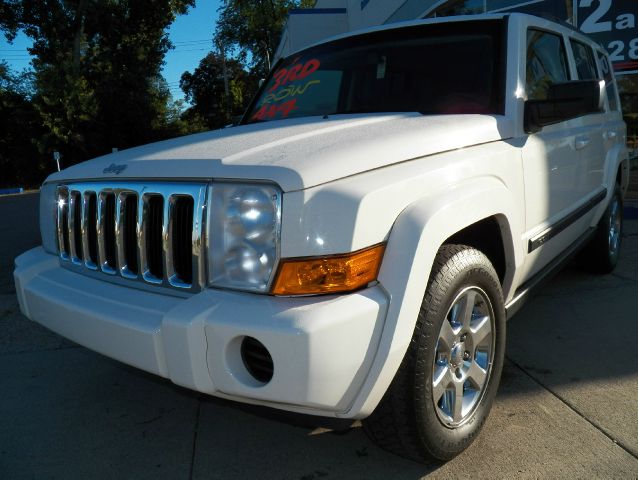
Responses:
[244,235]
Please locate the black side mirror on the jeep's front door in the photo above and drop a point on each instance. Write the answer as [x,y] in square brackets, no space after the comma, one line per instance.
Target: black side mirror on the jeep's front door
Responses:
[564,101]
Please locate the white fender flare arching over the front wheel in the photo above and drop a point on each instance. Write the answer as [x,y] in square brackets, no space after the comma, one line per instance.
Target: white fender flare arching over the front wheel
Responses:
[414,241]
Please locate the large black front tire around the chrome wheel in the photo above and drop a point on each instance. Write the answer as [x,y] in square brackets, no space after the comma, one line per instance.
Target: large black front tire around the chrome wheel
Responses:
[409,421]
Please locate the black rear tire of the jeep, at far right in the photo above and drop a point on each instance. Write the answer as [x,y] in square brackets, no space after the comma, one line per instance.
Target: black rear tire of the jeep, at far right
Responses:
[601,254]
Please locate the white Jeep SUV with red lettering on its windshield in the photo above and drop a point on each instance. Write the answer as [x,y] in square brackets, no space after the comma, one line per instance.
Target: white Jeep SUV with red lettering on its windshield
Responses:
[354,247]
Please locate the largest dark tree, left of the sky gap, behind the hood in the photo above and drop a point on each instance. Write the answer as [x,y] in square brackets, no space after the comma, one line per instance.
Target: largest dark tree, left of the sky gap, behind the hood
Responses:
[97,72]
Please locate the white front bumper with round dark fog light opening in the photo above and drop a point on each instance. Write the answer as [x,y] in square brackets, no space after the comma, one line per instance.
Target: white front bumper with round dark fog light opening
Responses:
[322,347]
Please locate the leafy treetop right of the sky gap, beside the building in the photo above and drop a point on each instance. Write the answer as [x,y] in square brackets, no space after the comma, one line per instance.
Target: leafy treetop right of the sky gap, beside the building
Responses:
[254,28]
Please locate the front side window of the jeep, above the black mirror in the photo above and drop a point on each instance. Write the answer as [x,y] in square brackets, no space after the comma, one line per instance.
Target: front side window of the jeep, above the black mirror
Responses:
[546,63]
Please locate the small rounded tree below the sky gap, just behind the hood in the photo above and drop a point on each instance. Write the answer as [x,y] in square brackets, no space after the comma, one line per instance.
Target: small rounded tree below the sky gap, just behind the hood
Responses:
[218,89]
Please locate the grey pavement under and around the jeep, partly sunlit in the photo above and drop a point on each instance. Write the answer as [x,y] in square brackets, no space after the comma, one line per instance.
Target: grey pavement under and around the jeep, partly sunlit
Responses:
[566,407]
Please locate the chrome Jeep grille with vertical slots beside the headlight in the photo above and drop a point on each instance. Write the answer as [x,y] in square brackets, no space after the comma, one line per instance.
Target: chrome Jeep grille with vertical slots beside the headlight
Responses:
[149,233]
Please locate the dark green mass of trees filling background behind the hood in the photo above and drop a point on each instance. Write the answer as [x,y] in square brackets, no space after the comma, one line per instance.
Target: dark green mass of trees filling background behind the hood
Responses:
[96,81]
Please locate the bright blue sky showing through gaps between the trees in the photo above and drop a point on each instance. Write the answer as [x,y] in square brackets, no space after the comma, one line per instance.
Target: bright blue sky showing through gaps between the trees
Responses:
[191,34]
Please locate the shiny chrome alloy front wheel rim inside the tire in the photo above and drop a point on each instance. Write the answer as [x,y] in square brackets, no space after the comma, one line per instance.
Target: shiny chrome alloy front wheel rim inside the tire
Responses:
[463,358]
